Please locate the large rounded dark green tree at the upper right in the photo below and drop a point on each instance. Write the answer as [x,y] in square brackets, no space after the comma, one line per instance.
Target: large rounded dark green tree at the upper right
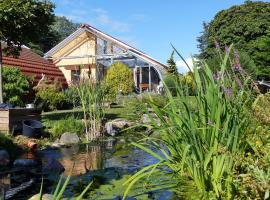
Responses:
[244,26]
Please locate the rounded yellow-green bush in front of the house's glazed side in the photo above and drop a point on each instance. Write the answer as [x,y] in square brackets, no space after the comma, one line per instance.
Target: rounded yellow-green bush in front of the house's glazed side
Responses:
[118,80]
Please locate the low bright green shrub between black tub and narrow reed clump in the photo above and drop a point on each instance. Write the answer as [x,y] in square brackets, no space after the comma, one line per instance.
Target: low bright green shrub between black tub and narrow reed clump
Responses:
[69,124]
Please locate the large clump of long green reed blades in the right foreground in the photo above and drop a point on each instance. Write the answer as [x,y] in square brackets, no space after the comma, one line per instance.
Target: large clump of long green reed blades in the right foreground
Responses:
[201,144]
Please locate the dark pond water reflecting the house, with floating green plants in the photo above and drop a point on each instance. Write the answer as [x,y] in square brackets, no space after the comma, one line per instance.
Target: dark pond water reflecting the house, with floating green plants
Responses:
[107,163]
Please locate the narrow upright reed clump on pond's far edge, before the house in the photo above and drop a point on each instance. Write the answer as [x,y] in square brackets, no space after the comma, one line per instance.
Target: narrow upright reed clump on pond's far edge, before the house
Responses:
[92,100]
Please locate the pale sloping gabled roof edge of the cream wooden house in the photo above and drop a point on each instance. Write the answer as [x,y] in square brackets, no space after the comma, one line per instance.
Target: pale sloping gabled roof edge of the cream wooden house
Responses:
[102,35]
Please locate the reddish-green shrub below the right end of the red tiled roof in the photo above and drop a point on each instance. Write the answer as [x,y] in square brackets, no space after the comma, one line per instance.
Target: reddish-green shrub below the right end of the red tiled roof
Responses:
[49,96]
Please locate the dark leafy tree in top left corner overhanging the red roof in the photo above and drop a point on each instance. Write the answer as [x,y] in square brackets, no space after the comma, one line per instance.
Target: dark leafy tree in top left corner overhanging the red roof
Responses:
[21,22]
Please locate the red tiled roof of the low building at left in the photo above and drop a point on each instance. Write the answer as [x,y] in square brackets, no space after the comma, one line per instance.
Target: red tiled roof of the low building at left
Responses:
[31,64]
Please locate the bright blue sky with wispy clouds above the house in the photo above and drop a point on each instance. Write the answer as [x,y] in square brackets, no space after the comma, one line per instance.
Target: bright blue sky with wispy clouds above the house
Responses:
[149,25]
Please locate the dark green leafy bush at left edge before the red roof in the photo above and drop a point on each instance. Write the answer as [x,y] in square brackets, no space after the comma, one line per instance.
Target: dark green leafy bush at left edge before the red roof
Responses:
[15,86]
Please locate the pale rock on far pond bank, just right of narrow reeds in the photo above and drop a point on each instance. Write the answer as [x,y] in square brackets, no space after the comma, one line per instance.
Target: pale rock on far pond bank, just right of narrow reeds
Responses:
[114,127]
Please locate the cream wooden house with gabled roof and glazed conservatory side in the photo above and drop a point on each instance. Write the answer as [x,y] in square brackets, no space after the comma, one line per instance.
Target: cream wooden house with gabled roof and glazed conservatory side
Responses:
[88,52]
